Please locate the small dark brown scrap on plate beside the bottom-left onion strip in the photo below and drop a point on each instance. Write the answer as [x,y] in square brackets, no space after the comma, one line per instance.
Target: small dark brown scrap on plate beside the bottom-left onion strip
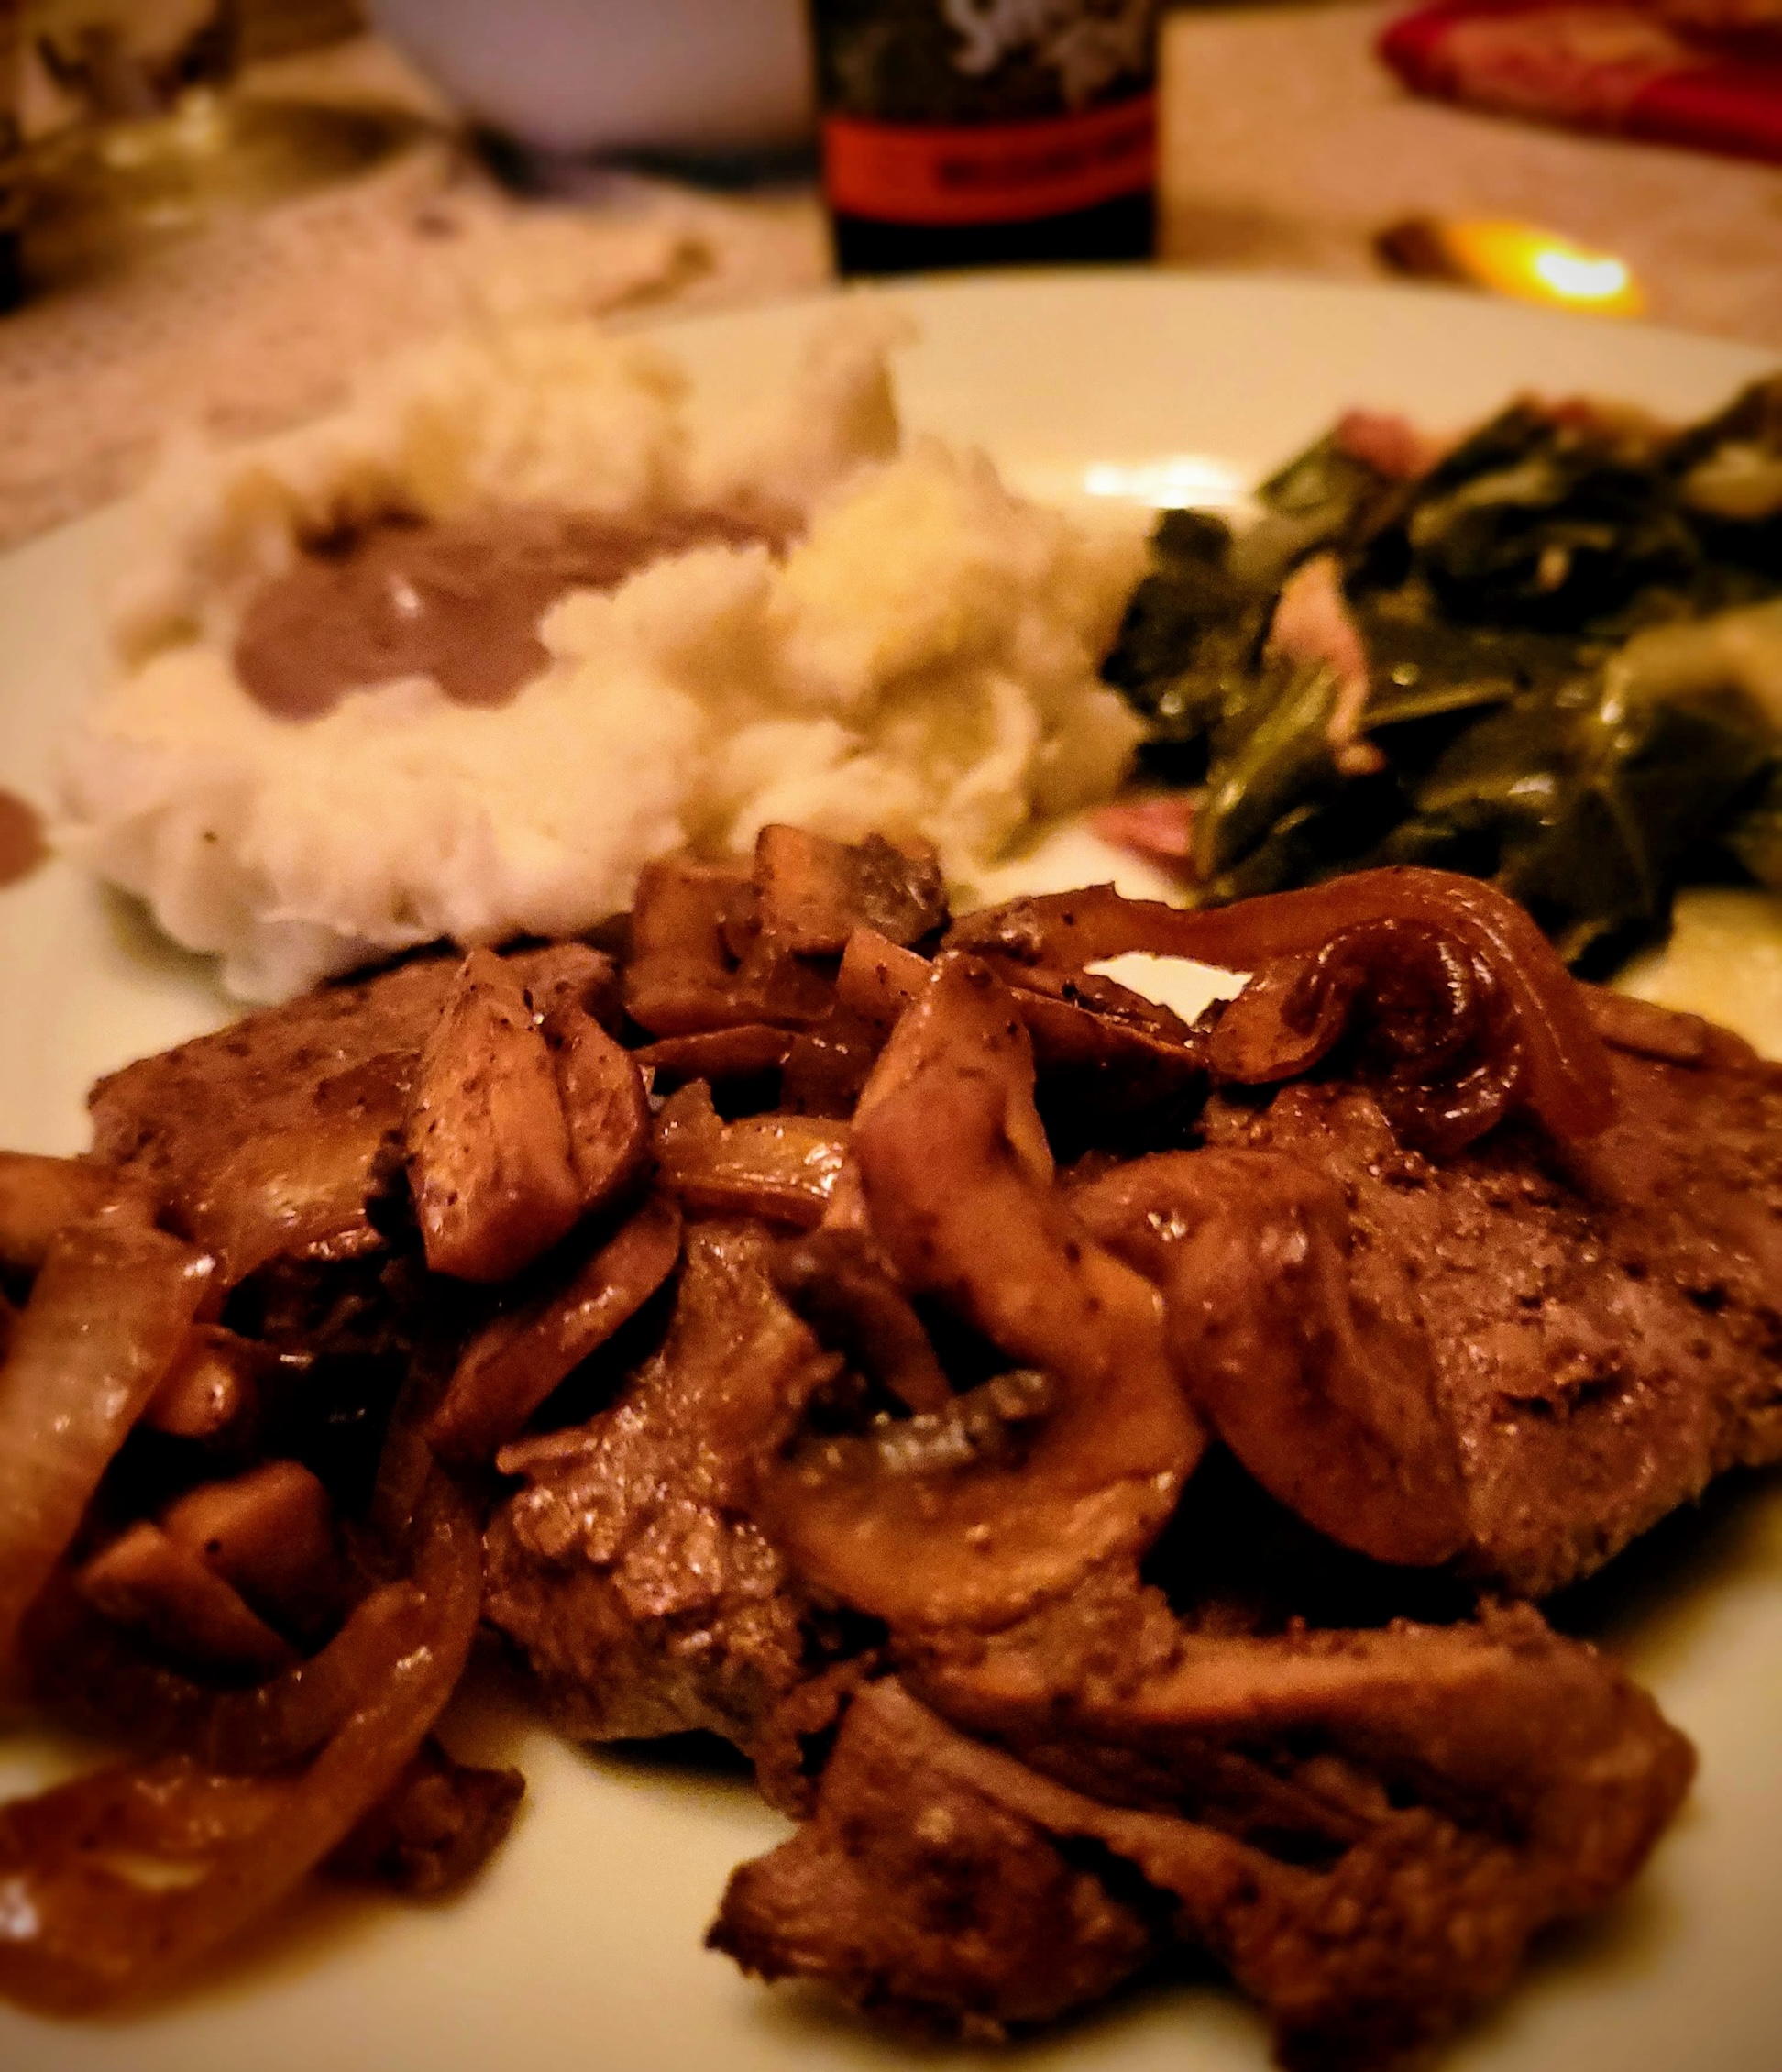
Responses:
[434,1829]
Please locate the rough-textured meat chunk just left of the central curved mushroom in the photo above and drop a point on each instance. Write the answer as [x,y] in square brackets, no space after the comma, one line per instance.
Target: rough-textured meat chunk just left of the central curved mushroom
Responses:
[629,1570]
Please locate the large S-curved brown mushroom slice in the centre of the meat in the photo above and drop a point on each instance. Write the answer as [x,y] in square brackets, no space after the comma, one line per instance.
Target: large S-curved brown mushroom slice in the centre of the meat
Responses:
[962,1215]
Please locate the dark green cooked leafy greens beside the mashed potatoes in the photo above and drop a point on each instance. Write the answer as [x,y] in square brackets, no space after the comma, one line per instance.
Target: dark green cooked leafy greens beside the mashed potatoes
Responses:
[1530,726]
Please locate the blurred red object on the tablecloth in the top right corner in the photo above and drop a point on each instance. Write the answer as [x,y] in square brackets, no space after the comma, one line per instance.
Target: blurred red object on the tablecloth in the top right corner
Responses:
[1700,74]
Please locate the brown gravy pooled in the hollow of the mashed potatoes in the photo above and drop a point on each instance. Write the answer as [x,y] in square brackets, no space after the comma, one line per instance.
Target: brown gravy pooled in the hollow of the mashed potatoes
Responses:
[457,600]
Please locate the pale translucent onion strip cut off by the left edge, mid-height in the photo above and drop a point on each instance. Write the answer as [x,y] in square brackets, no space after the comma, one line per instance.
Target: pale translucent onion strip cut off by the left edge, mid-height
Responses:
[107,1317]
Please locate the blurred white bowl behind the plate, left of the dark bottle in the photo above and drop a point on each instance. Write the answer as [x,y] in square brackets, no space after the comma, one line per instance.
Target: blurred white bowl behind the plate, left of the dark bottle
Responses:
[614,76]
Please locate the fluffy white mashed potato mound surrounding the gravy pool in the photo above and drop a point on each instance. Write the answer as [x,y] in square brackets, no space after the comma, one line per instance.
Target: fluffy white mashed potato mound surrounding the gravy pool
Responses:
[921,660]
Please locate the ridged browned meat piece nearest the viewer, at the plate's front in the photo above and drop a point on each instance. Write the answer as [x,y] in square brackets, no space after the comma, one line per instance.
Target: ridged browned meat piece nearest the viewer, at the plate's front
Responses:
[1362,1826]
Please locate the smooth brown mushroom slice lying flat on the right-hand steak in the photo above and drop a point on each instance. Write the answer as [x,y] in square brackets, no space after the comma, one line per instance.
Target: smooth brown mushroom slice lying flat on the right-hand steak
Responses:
[1325,1391]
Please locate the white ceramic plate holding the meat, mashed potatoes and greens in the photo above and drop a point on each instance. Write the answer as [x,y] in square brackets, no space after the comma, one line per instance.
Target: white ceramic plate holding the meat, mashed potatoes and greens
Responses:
[583,1942]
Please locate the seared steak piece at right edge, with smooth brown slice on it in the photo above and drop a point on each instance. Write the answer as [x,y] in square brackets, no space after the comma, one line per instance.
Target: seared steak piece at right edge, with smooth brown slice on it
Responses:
[1594,1327]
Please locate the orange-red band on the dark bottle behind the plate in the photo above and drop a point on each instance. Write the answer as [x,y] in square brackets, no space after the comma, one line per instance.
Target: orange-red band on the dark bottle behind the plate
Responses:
[989,173]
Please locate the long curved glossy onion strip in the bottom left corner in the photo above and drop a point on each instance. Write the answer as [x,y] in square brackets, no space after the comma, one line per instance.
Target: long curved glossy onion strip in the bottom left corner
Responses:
[121,1880]
